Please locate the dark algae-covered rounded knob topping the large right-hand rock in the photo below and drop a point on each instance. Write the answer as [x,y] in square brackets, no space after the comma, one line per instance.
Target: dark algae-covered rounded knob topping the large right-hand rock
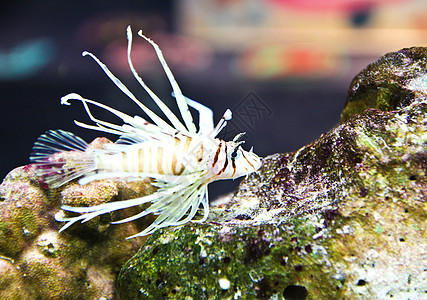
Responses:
[388,83]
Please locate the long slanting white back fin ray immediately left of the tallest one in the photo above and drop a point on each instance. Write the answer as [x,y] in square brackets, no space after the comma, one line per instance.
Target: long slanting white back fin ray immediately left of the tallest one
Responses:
[156,119]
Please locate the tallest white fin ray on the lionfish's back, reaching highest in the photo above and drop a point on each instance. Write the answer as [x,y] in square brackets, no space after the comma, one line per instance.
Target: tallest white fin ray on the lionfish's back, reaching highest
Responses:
[168,113]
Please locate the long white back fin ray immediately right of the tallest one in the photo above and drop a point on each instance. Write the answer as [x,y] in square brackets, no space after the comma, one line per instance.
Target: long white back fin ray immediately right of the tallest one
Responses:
[180,100]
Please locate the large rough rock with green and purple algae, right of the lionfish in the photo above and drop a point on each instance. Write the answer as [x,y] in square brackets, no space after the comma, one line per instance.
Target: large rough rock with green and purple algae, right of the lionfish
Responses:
[341,218]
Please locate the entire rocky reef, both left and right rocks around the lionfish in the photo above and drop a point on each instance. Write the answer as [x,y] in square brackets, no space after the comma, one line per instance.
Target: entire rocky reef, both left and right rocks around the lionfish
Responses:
[341,218]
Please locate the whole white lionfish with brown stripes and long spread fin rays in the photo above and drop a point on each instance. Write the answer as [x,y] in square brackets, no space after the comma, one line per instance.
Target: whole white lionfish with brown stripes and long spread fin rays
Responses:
[180,160]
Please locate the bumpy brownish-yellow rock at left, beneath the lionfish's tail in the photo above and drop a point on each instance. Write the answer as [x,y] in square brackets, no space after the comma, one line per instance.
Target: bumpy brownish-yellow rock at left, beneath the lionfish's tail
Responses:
[80,263]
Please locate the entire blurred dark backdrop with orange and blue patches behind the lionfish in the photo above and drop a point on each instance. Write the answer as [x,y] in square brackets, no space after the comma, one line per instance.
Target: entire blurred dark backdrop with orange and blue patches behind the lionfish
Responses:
[282,66]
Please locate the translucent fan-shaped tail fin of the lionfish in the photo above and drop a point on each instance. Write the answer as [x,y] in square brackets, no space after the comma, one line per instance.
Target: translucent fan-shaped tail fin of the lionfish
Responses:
[61,157]
